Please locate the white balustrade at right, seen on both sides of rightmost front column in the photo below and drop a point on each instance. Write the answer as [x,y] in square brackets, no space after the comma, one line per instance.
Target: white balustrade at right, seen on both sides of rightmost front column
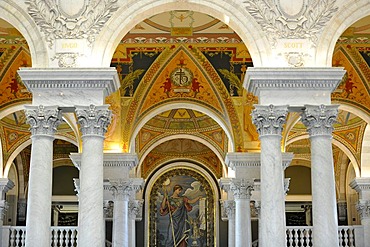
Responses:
[349,236]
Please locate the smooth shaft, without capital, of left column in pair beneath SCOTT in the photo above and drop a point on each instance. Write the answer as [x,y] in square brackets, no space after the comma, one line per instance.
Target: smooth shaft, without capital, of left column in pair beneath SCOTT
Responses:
[272,220]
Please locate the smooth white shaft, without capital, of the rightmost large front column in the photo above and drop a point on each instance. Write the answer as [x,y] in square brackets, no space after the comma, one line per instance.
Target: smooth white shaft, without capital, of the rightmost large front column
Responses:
[324,206]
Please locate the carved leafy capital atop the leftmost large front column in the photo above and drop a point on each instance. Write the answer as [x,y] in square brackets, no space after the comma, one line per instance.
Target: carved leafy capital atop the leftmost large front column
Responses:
[44,120]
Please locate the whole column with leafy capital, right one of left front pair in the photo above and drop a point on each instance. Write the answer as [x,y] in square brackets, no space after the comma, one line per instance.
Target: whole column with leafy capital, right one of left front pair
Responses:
[93,121]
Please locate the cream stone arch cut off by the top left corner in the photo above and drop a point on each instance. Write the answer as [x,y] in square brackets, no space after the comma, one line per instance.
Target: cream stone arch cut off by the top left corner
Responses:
[16,16]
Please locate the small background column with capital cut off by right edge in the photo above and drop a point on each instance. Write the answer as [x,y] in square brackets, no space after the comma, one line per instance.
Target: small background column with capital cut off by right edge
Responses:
[362,186]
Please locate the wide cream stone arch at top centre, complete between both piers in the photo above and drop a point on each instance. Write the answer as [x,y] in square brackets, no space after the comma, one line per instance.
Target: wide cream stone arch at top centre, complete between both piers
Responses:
[130,14]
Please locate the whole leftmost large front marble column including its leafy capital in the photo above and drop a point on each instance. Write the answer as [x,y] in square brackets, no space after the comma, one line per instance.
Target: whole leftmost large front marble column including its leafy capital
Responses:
[44,121]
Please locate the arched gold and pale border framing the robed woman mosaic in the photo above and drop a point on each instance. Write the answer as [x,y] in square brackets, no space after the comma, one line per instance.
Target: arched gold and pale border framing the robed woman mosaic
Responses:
[178,168]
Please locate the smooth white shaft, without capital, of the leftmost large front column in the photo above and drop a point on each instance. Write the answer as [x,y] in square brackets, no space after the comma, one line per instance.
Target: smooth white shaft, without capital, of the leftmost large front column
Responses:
[39,192]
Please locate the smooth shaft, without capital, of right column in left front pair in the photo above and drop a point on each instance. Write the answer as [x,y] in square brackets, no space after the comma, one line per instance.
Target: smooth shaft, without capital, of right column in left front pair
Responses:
[91,227]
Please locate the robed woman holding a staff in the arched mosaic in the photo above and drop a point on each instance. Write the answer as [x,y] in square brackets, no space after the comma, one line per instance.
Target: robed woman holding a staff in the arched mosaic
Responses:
[177,207]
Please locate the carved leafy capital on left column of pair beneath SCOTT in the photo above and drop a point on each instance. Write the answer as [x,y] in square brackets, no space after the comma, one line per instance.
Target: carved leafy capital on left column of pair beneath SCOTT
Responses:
[269,120]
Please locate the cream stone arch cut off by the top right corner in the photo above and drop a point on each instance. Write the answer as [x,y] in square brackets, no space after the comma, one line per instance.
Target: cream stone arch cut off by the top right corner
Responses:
[347,14]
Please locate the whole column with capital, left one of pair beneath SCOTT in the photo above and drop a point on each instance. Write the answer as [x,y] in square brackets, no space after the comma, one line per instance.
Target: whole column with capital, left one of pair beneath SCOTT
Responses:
[269,121]
